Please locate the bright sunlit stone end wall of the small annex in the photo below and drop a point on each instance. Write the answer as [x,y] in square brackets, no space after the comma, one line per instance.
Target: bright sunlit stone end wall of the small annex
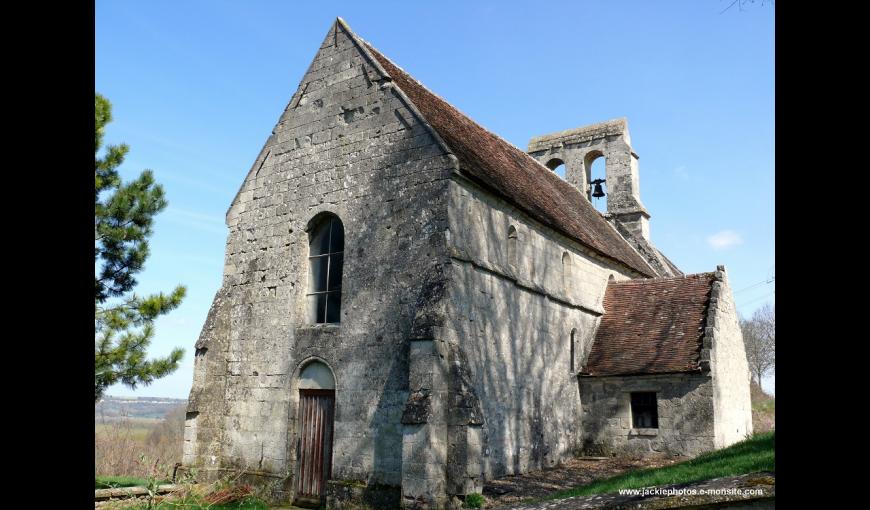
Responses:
[723,344]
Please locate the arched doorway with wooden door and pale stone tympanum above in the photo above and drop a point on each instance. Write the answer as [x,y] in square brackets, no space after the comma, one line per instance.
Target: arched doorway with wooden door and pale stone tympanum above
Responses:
[316,417]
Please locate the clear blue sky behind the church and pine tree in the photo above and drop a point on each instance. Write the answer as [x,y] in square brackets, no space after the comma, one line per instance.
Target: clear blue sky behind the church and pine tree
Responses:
[197,87]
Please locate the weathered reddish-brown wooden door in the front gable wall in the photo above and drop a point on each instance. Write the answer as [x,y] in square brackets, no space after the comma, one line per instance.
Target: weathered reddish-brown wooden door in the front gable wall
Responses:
[316,411]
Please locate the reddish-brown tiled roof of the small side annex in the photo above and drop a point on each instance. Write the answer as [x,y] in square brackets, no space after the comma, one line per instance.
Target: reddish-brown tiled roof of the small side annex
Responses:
[651,326]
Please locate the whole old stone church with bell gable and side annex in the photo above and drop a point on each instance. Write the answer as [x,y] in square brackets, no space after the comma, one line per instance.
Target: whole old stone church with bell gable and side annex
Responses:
[411,305]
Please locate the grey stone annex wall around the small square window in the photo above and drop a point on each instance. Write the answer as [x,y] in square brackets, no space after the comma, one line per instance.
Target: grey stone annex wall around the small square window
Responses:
[685,414]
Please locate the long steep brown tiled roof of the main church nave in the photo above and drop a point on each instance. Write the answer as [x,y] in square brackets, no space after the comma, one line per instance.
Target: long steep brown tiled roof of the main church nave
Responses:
[511,173]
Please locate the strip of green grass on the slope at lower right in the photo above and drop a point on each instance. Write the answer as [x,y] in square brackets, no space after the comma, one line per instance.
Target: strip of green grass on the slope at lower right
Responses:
[754,454]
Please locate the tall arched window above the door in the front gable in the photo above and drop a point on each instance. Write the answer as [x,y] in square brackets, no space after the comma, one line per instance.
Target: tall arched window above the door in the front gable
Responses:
[325,261]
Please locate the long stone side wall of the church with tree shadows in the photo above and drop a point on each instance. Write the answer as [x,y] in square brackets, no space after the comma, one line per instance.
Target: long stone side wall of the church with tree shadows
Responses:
[510,313]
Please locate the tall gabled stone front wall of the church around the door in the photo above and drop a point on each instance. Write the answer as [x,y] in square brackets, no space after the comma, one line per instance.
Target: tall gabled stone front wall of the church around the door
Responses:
[347,144]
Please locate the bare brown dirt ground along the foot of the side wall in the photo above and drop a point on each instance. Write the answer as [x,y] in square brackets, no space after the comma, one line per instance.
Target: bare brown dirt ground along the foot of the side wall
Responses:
[575,472]
